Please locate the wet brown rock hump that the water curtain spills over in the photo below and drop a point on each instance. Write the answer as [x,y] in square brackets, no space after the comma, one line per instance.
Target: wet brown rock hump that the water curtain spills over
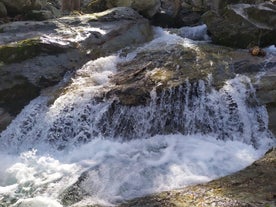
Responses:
[172,65]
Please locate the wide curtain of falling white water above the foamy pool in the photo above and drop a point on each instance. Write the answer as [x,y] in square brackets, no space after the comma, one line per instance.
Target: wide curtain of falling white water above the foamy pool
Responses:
[231,113]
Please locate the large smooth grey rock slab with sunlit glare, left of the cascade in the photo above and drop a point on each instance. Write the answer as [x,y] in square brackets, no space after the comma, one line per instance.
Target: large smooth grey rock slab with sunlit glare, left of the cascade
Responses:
[44,51]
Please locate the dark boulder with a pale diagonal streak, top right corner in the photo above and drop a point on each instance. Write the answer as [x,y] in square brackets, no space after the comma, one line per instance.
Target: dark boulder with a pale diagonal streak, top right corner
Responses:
[243,25]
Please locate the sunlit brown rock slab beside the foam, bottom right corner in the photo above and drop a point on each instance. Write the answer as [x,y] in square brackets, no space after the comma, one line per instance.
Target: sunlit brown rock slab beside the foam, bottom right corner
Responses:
[253,186]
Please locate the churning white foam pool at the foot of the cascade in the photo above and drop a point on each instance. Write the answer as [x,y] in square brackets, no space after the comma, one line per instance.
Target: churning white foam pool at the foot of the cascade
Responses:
[117,171]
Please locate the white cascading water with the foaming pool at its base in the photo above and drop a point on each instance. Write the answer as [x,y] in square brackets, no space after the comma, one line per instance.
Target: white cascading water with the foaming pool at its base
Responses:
[187,134]
